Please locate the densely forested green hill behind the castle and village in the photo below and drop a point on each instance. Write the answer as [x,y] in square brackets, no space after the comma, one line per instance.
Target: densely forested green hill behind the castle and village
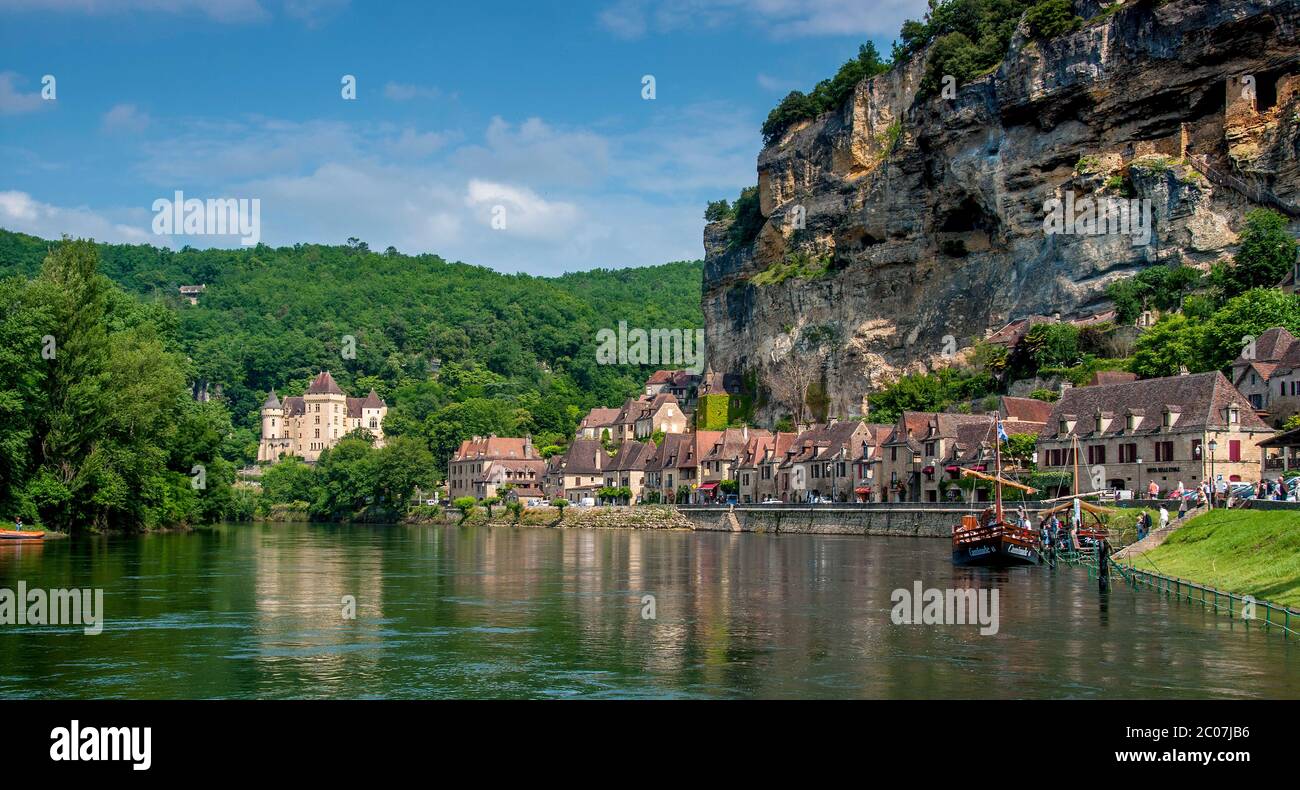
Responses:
[513,353]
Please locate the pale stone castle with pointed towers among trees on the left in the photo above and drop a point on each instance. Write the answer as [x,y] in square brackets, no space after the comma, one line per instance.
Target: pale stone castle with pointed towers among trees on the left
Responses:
[315,422]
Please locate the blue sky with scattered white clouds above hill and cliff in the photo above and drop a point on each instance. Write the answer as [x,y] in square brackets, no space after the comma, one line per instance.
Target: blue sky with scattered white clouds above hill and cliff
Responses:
[462,107]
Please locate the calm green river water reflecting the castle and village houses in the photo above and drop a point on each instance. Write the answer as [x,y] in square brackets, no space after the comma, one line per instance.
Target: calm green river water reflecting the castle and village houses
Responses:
[259,611]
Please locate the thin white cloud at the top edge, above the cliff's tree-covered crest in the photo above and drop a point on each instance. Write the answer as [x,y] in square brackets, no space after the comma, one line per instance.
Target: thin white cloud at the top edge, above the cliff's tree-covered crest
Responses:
[779,19]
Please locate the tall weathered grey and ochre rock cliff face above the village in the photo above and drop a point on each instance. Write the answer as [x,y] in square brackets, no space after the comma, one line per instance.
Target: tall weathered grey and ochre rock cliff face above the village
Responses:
[902,228]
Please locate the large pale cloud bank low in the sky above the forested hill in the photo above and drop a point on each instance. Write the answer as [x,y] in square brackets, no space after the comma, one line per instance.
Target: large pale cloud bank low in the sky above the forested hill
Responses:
[575,198]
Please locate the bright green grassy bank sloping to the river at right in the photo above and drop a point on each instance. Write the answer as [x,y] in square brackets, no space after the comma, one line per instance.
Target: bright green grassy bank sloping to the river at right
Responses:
[1251,553]
